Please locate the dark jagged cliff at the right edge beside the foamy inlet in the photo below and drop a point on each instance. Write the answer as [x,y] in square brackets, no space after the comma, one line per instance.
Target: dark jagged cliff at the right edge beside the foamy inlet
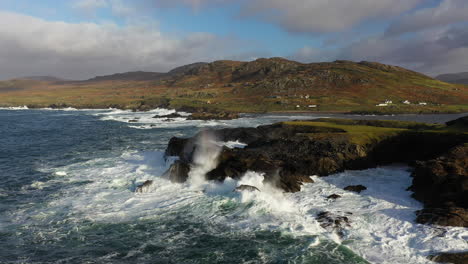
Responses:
[442,185]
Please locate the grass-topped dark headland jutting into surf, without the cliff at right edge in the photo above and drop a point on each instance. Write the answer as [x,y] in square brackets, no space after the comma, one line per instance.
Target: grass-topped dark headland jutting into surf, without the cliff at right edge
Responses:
[288,154]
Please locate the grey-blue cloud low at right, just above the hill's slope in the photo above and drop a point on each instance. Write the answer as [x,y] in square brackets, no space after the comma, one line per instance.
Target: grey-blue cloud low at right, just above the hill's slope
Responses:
[432,52]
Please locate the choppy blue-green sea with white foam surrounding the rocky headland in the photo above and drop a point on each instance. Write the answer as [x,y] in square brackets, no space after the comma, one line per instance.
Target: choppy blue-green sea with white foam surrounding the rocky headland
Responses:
[67,197]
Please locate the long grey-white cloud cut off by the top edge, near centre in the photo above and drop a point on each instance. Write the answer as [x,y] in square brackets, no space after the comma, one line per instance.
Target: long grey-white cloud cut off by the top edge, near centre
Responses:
[305,16]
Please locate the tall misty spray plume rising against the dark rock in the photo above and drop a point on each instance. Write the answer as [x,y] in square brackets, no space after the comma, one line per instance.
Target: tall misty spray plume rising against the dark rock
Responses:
[205,158]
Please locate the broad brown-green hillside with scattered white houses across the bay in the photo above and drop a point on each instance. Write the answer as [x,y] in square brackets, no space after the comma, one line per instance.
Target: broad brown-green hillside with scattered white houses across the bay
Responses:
[273,84]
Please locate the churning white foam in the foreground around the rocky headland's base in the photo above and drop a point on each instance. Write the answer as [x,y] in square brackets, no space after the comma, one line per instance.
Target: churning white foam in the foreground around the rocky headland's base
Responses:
[382,227]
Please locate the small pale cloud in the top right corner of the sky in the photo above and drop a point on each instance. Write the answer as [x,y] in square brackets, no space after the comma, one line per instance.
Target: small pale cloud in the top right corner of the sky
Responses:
[446,13]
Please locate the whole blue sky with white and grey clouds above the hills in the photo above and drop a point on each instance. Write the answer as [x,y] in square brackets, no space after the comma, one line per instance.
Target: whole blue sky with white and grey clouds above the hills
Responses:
[78,39]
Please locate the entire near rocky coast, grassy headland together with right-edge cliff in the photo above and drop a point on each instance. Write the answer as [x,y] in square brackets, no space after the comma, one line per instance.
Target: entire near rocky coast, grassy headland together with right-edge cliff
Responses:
[288,153]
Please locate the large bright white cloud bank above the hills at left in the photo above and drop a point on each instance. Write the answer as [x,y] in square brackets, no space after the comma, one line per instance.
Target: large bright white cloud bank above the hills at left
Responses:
[33,46]
